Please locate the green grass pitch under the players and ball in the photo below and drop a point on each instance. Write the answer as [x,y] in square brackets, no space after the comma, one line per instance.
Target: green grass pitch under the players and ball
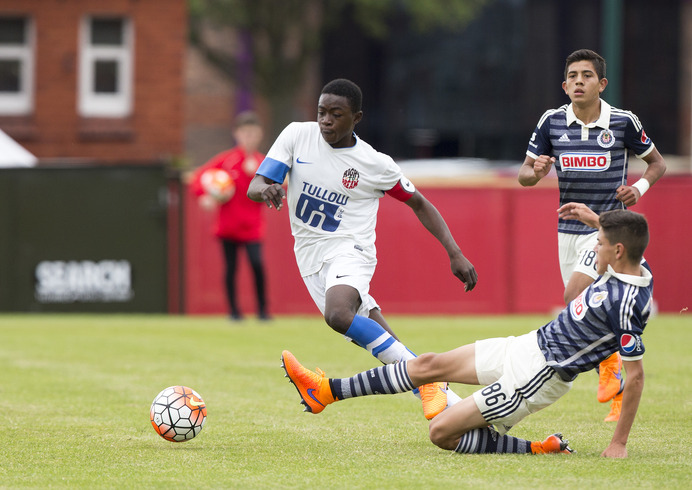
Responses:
[75,392]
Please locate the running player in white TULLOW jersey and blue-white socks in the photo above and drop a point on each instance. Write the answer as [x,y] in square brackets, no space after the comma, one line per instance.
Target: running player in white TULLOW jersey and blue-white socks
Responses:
[336,181]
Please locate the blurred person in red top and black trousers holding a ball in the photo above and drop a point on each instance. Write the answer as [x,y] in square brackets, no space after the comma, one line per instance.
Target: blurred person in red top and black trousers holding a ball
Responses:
[240,222]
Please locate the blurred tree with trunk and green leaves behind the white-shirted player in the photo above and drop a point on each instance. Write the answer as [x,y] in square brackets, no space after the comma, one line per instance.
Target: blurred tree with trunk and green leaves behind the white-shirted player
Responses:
[278,38]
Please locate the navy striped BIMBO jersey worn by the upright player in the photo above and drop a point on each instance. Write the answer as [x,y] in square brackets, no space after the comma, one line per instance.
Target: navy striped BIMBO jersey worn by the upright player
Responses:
[591,159]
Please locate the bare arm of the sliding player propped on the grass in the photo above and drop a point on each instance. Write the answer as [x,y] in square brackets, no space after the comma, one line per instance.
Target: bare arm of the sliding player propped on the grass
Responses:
[630,404]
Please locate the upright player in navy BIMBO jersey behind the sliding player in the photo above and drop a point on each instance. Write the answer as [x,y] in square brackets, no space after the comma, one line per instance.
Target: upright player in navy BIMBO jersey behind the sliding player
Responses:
[588,142]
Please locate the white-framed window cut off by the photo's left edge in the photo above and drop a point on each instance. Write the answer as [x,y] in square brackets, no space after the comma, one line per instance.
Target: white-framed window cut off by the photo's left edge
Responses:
[16,66]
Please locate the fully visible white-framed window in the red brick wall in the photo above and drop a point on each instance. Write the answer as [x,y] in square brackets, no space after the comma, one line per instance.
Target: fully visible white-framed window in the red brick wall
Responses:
[105,68]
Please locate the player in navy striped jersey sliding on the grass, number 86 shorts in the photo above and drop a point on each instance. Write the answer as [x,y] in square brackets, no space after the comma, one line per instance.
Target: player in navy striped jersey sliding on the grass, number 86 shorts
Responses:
[527,373]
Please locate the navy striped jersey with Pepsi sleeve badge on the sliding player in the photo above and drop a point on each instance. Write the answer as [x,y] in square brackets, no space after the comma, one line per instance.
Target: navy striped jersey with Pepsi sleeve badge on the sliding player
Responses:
[609,316]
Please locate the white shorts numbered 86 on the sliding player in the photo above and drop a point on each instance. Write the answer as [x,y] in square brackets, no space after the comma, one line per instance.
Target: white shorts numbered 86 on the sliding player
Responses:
[519,382]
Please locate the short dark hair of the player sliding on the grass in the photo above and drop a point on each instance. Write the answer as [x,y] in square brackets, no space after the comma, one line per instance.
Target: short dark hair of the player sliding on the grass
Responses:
[626,227]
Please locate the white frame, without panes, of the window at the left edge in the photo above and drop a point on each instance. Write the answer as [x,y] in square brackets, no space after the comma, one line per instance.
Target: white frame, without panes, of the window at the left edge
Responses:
[22,102]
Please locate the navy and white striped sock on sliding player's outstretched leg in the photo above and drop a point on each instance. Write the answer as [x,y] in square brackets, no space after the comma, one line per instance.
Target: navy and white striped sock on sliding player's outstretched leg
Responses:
[383,380]
